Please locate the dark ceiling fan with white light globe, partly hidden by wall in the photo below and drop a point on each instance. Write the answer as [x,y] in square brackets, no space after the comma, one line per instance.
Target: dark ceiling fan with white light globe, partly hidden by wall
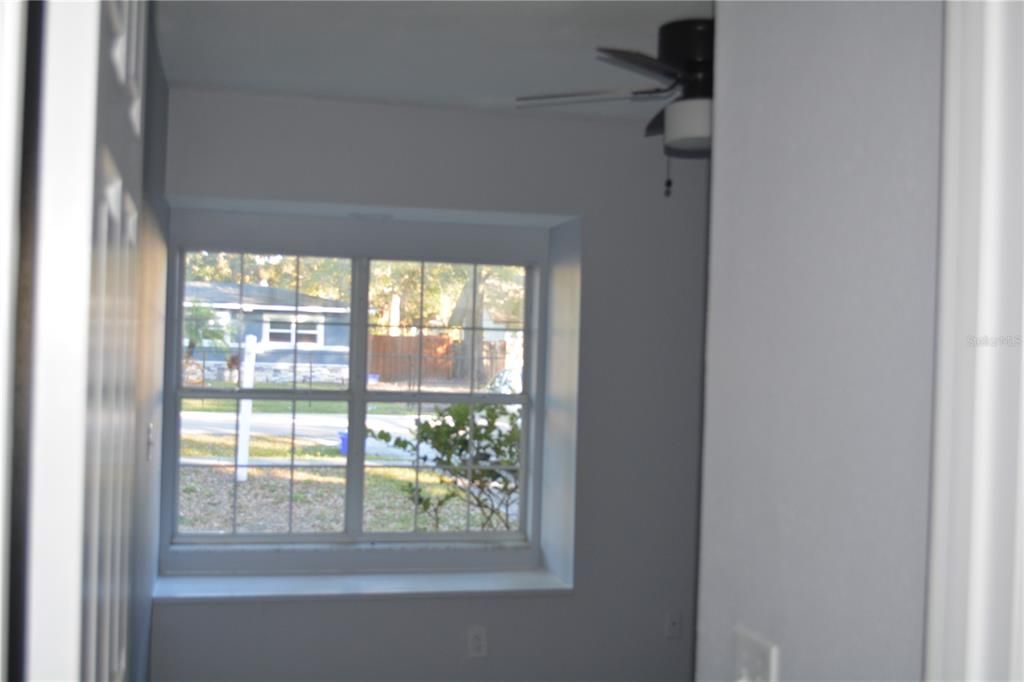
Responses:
[684,69]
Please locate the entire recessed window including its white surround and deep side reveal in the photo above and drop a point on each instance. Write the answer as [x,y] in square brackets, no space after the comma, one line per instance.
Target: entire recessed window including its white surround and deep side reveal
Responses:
[432,428]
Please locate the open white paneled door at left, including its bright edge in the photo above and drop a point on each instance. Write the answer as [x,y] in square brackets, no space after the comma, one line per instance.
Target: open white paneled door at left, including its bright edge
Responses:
[81,417]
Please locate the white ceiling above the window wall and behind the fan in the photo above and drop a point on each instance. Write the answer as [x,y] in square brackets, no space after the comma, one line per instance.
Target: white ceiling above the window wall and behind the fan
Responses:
[472,55]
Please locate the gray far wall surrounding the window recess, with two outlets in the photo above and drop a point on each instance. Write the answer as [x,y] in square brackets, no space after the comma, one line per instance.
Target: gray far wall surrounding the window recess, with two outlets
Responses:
[643,292]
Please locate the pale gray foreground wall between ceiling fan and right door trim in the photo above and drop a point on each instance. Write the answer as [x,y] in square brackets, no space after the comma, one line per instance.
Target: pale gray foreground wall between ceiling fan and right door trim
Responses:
[821,335]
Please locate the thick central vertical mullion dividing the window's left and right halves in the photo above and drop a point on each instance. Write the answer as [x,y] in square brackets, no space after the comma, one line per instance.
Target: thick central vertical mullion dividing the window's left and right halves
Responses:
[359,332]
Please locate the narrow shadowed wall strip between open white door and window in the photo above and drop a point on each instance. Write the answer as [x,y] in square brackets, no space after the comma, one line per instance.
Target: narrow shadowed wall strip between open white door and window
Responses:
[149,374]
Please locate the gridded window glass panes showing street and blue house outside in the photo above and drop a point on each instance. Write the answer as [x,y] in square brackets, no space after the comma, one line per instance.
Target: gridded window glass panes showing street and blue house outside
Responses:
[343,401]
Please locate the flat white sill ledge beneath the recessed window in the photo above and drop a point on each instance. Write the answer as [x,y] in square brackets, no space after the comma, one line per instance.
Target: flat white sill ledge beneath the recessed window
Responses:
[259,588]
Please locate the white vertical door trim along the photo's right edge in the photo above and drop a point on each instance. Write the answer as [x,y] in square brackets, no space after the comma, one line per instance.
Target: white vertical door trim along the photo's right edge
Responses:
[976,598]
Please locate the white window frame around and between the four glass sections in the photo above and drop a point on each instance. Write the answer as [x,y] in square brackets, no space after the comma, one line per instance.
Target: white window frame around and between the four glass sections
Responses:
[356,552]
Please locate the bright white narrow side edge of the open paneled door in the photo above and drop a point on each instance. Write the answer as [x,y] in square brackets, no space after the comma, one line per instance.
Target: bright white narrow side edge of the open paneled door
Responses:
[58,352]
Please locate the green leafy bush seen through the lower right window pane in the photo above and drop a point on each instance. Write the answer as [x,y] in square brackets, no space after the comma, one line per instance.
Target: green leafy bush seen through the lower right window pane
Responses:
[484,437]
